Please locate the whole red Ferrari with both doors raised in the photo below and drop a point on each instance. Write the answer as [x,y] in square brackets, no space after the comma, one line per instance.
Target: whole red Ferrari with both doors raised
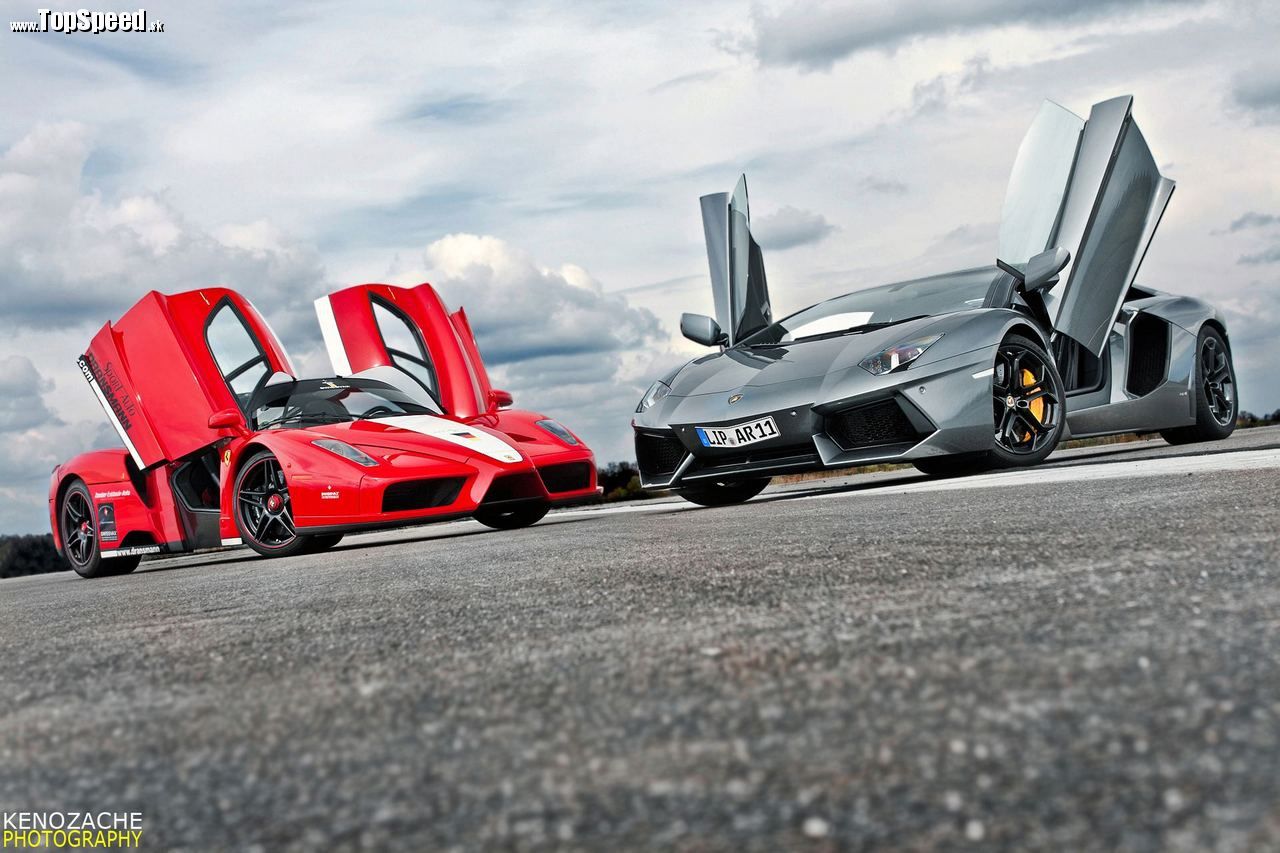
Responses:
[225,445]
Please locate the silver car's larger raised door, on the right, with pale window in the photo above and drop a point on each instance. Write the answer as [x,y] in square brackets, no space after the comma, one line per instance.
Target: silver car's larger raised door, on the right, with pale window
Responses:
[1094,189]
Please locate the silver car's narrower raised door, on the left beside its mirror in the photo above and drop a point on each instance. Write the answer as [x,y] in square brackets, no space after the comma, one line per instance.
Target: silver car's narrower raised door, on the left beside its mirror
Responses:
[739,284]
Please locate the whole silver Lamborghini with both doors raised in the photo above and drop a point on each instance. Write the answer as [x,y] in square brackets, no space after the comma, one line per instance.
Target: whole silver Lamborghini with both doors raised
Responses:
[958,372]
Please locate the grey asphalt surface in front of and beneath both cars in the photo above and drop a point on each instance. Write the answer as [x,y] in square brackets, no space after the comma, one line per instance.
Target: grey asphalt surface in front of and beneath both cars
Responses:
[1086,656]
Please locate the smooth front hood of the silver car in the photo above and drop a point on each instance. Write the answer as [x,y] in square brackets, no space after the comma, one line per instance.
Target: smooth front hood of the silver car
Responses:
[757,367]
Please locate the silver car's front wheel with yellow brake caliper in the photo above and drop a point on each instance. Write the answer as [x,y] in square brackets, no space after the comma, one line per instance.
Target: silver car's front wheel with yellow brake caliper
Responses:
[1028,405]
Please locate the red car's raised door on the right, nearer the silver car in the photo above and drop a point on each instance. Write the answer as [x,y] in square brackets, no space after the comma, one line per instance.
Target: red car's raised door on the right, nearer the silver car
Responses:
[373,326]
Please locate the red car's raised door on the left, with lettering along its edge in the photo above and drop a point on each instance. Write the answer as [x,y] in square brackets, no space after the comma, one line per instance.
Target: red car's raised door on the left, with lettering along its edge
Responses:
[172,362]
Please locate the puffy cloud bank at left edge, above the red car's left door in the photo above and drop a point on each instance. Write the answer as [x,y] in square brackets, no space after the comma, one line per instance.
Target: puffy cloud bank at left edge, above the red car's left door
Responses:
[71,258]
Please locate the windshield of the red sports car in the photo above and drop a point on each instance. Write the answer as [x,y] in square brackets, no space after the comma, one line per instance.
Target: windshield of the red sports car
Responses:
[332,402]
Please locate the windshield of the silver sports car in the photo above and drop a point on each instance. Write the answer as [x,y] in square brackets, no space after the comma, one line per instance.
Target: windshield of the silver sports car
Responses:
[881,307]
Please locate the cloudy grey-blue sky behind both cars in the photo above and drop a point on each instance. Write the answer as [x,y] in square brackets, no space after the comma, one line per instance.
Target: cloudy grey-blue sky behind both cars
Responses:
[541,163]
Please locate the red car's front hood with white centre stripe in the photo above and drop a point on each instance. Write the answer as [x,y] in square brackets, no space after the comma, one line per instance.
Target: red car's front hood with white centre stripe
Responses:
[426,435]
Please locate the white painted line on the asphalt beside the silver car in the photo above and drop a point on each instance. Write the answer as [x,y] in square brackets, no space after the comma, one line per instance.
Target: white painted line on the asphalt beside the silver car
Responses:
[1119,471]
